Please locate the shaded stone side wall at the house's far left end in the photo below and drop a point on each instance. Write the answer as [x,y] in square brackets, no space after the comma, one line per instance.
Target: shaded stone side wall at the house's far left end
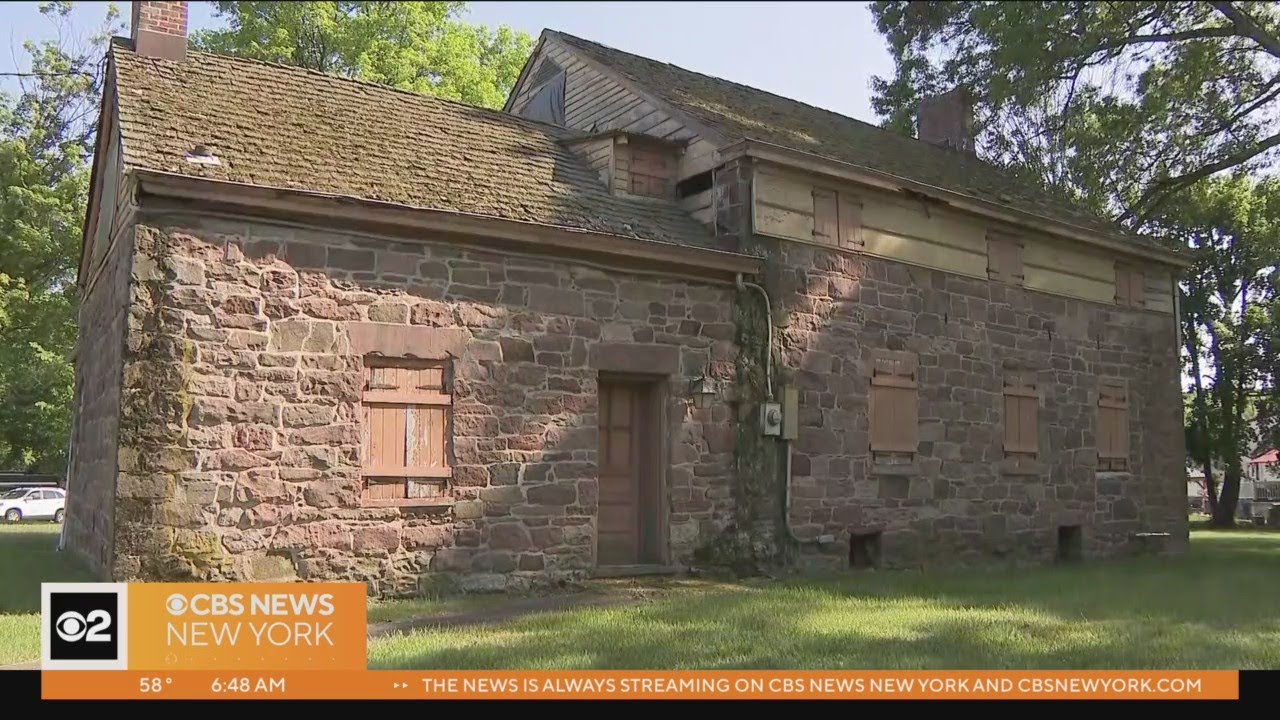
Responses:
[92,485]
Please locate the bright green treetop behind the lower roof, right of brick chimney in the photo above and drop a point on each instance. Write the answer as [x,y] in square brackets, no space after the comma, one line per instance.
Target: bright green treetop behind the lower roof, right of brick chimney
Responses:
[417,47]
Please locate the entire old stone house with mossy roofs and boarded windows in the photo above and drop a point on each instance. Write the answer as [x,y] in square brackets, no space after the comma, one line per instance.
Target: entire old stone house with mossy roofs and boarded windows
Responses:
[642,320]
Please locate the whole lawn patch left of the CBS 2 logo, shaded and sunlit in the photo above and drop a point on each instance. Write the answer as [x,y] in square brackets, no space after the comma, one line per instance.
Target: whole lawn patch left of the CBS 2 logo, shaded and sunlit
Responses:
[29,558]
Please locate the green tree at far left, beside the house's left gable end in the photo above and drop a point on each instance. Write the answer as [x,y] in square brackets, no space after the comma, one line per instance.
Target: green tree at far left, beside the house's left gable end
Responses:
[47,140]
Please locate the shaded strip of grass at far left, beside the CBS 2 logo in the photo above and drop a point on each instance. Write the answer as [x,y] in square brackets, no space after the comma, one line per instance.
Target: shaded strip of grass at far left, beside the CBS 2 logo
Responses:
[29,557]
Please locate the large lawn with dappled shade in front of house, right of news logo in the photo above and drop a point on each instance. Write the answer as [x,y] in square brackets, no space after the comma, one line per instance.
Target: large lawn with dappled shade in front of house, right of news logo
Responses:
[1212,609]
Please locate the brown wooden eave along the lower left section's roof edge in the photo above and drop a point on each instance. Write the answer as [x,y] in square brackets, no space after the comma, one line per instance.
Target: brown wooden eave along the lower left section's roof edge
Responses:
[349,212]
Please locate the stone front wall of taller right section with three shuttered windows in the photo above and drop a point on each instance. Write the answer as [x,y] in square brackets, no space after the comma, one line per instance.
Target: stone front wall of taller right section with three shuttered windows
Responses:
[958,503]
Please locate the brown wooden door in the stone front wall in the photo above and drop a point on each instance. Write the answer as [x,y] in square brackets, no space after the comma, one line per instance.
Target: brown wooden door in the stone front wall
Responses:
[628,526]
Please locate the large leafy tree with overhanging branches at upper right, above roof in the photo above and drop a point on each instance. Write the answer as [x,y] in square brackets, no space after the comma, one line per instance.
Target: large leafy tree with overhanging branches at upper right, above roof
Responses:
[1122,104]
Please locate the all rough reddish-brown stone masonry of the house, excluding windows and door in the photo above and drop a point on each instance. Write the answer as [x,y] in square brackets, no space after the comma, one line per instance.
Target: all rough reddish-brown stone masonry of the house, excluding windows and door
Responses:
[240,439]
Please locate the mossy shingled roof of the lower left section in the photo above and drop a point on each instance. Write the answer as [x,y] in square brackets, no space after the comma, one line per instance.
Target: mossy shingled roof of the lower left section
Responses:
[285,127]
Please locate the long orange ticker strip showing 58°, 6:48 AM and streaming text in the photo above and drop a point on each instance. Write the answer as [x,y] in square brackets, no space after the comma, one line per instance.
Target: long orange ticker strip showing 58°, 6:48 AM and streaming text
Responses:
[641,685]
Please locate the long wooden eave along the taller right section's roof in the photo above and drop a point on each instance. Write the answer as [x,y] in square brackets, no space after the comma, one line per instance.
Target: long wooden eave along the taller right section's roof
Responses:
[822,165]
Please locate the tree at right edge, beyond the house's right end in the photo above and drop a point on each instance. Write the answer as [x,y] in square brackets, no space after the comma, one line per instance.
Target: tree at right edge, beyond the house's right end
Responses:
[1232,227]
